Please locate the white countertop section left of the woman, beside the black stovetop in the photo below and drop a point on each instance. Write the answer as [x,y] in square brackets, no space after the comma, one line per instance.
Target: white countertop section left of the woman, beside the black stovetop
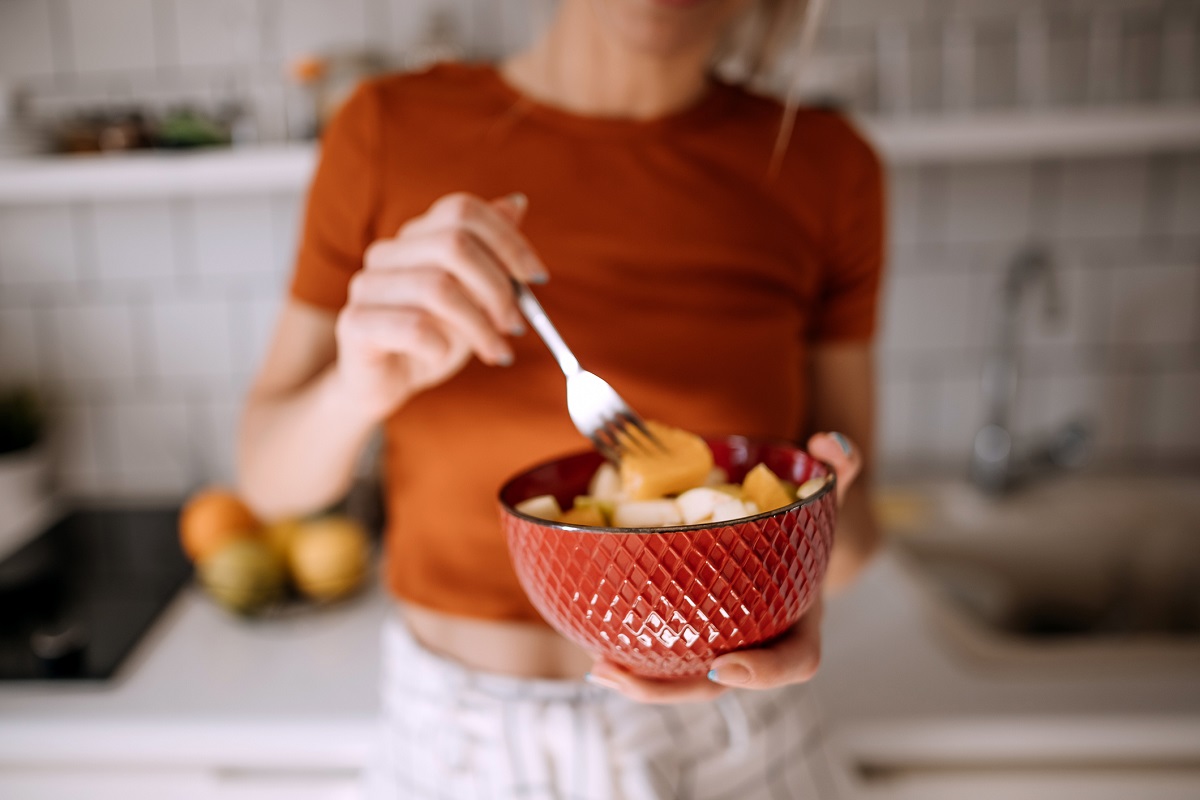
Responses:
[206,688]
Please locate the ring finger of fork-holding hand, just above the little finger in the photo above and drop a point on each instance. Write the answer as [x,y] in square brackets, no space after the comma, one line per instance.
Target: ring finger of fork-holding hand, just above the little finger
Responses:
[439,294]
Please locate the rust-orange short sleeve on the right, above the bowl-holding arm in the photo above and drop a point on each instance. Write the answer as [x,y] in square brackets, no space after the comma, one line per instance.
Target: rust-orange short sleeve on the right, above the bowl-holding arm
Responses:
[847,308]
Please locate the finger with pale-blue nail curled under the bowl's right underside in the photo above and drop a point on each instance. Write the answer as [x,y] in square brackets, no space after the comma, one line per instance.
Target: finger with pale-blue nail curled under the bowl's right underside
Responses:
[791,659]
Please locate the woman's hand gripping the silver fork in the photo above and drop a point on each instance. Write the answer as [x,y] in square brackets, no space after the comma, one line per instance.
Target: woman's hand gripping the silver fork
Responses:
[431,298]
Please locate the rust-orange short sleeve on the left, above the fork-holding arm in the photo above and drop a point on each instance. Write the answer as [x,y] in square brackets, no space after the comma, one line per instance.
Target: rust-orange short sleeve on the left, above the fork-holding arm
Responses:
[344,202]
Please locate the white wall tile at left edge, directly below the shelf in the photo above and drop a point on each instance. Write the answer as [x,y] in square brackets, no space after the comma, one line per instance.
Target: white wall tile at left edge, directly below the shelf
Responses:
[38,246]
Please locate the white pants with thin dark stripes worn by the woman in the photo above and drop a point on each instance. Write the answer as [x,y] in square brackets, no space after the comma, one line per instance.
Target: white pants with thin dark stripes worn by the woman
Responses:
[457,735]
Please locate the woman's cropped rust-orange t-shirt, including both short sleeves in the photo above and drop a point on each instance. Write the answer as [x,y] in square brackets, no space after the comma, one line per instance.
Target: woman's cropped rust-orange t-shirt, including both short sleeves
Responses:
[681,273]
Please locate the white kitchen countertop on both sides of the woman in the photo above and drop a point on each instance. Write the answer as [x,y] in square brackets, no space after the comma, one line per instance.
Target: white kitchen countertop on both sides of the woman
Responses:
[207,689]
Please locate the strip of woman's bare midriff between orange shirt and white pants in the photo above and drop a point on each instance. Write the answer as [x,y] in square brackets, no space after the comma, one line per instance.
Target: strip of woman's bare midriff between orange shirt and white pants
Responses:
[518,649]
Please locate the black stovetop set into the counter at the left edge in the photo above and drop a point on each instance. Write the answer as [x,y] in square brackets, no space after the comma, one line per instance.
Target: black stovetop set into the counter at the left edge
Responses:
[76,600]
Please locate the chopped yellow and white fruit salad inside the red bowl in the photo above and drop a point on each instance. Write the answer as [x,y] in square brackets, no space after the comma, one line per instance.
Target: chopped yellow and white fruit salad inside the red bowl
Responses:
[671,485]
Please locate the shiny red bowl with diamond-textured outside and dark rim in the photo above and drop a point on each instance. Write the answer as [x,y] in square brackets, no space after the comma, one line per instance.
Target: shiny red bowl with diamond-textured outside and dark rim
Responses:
[665,601]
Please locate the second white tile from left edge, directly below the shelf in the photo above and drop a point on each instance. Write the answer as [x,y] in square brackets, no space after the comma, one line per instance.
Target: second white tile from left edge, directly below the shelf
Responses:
[134,240]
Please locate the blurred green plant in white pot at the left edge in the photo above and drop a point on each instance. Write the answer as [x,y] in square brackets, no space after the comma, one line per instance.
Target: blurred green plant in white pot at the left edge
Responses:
[25,462]
